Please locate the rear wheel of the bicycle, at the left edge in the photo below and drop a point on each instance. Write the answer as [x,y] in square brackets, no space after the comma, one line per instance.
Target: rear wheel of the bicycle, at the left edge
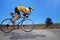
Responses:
[7,26]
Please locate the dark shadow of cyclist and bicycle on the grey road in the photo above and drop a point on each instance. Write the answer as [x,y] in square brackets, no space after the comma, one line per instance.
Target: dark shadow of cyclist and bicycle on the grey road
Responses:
[14,35]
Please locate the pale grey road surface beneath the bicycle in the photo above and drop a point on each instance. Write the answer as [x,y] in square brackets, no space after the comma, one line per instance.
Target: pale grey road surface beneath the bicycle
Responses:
[43,34]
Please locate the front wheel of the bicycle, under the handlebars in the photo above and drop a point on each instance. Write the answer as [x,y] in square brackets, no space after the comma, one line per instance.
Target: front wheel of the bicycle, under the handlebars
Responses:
[27,25]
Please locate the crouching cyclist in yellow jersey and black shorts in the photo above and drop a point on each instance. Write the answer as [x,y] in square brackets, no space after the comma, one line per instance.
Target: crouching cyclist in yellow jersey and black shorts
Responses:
[22,9]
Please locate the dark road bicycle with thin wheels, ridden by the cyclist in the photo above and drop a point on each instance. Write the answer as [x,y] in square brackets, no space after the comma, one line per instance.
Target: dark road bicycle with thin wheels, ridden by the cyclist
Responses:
[27,25]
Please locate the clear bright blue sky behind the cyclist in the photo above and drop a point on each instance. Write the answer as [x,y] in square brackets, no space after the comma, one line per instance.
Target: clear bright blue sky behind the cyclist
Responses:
[42,9]
